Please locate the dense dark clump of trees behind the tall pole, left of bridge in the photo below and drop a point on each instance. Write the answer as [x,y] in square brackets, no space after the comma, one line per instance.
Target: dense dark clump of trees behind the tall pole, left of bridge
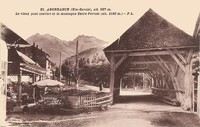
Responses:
[98,71]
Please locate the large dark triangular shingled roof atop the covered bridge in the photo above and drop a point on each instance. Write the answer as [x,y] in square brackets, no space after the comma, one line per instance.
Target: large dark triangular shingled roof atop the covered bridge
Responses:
[151,31]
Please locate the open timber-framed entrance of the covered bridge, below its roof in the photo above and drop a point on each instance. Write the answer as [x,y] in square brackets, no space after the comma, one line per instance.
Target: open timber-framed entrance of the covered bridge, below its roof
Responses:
[168,73]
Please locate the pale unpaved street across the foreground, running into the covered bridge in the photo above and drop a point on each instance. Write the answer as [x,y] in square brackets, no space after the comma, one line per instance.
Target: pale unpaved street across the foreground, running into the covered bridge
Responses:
[138,111]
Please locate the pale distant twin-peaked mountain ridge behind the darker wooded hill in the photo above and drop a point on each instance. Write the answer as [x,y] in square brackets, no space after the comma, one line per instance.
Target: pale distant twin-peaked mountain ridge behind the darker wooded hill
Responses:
[53,45]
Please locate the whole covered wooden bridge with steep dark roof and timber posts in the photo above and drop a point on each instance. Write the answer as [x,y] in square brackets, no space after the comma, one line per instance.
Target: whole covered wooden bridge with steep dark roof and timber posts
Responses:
[160,50]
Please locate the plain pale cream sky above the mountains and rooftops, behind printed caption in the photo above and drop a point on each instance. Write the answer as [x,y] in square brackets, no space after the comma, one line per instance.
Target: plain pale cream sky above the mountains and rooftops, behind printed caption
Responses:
[181,13]
